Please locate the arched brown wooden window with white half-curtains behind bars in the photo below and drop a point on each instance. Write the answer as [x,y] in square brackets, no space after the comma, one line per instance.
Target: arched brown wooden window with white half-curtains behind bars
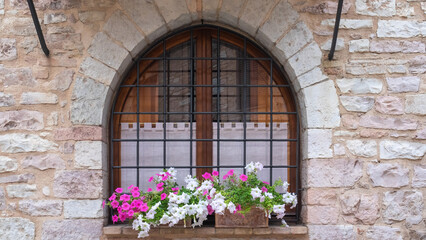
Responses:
[199,100]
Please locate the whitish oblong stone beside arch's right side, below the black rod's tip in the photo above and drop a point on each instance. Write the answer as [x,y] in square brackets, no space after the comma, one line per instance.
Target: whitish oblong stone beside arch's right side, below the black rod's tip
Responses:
[360,85]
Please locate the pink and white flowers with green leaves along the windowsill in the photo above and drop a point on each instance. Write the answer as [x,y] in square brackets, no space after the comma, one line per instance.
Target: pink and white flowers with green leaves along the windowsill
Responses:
[169,203]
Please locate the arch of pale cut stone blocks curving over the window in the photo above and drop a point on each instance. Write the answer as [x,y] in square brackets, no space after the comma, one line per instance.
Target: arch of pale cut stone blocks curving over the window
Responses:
[139,23]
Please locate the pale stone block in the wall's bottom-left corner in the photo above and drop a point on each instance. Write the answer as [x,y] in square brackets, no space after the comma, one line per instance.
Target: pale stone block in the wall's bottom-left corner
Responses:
[16,228]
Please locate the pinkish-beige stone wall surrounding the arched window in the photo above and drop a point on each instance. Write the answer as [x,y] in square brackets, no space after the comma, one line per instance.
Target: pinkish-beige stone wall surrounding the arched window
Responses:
[363,113]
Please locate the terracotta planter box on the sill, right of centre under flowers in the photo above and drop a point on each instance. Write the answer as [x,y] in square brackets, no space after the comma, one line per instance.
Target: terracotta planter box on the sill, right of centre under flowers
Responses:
[254,218]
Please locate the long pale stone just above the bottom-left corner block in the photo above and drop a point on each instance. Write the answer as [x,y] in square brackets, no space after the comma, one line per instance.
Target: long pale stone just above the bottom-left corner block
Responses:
[41,207]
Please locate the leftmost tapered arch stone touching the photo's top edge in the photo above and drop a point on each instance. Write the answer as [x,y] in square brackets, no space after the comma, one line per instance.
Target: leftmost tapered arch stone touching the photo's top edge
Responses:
[151,22]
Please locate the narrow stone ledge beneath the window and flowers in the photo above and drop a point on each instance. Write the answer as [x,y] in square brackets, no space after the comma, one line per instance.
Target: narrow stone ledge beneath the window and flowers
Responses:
[125,232]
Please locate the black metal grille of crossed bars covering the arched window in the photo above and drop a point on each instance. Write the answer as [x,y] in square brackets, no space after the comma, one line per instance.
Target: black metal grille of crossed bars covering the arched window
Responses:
[244,113]
